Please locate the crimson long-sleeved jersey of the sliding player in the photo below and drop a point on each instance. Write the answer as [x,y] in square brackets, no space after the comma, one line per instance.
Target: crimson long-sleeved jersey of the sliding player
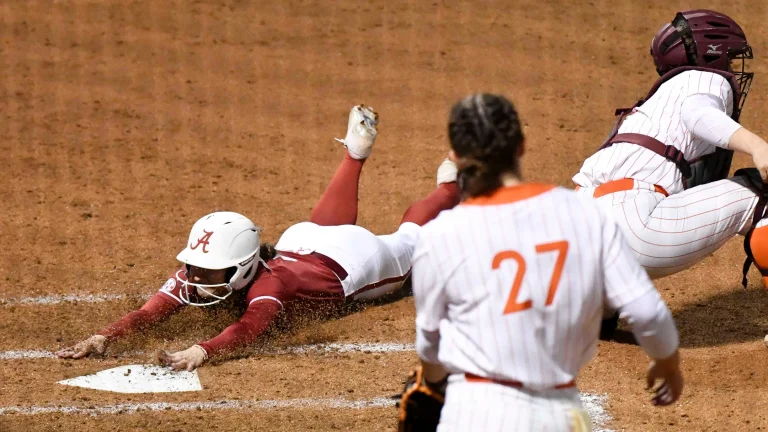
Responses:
[293,282]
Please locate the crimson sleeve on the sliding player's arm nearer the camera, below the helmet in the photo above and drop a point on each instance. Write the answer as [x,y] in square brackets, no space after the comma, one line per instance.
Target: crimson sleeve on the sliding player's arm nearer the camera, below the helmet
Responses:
[265,301]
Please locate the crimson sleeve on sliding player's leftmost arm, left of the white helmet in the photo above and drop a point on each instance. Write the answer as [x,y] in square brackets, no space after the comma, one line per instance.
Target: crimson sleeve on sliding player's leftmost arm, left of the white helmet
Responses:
[160,306]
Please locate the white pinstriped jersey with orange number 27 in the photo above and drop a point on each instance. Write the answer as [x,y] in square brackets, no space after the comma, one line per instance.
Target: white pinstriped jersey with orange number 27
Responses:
[516,284]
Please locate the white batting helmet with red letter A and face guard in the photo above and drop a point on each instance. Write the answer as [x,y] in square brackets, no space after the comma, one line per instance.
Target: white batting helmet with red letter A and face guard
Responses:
[221,240]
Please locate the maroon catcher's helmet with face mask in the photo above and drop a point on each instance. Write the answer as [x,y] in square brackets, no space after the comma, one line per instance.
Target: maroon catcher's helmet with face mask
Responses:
[703,38]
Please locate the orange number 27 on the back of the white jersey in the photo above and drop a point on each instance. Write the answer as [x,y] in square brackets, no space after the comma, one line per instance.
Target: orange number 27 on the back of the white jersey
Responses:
[513,304]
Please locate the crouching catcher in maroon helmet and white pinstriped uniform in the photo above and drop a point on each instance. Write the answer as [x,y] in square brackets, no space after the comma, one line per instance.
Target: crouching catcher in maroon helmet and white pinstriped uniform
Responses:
[663,170]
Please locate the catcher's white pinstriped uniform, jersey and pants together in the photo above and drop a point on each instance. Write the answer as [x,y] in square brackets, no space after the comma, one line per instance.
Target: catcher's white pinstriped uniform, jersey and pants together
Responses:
[669,234]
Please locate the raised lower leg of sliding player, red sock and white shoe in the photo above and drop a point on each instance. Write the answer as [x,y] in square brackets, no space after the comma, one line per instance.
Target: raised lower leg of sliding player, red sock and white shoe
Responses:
[338,205]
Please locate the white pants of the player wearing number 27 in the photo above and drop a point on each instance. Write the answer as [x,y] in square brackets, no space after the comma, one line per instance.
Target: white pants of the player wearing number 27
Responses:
[492,407]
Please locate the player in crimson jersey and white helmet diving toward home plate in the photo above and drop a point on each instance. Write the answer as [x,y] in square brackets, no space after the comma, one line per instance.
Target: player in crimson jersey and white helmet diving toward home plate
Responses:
[315,266]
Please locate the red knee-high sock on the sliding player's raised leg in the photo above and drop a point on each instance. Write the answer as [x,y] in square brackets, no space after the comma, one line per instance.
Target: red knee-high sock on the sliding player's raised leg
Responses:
[338,205]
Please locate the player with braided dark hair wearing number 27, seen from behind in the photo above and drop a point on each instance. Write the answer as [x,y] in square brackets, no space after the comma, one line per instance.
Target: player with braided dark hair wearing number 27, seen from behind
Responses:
[510,288]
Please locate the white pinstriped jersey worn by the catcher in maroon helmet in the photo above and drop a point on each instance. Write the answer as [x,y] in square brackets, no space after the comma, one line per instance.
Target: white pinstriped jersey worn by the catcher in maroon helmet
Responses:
[659,117]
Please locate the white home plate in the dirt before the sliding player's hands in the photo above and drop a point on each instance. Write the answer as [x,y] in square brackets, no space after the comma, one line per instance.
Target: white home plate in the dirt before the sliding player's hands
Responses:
[138,379]
